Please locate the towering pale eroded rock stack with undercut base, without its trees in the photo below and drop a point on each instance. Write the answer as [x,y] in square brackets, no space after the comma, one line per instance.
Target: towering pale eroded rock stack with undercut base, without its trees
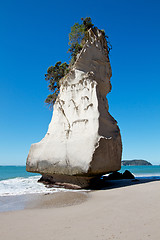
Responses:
[83,139]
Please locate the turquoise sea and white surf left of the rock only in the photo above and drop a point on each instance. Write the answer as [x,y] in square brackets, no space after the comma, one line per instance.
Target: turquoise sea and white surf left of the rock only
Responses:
[15,181]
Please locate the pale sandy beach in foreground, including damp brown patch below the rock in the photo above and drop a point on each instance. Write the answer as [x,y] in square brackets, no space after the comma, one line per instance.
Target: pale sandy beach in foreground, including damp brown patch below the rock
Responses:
[119,212]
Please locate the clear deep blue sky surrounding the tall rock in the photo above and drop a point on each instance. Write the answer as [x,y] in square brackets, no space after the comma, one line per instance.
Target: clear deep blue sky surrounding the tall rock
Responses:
[34,36]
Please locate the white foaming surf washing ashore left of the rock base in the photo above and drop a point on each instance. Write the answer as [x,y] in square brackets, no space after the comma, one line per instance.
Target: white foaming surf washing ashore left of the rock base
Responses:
[20,186]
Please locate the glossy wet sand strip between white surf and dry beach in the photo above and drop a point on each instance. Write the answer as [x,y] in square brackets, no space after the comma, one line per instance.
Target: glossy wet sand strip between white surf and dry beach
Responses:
[34,201]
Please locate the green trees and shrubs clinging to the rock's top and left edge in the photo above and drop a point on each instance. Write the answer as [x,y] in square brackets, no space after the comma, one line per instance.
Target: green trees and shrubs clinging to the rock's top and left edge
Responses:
[77,38]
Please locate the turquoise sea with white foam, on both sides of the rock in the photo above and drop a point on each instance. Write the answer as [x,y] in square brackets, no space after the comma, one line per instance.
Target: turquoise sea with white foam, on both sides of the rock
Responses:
[14,180]
